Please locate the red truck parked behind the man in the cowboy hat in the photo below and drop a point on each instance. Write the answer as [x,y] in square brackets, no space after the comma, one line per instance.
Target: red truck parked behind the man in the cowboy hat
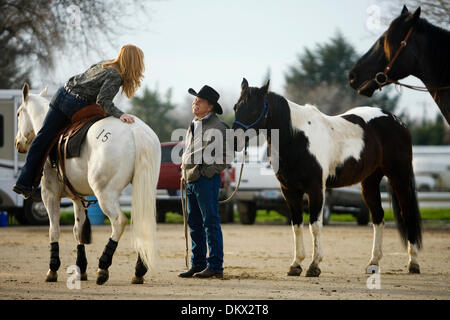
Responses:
[169,200]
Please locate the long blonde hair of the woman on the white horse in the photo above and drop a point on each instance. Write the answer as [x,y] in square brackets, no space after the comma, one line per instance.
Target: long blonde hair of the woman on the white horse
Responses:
[130,64]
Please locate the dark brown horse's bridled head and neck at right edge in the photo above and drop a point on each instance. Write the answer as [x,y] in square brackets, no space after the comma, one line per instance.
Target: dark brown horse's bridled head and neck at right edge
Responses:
[425,55]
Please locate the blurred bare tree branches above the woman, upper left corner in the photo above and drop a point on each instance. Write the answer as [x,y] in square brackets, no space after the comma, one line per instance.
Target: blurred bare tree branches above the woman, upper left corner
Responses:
[33,31]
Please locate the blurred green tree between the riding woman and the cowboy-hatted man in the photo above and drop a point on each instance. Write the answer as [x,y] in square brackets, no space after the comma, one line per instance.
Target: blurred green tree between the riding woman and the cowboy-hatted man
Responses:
[155,111]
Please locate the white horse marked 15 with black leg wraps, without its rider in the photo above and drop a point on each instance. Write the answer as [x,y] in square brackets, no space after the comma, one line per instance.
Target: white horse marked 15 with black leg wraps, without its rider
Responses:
[113,155]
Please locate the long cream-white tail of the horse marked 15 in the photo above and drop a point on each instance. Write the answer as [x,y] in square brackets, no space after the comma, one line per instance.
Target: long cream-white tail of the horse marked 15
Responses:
[143,205]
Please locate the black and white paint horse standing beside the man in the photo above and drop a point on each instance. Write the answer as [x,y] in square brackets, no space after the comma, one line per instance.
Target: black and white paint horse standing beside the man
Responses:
[317,151]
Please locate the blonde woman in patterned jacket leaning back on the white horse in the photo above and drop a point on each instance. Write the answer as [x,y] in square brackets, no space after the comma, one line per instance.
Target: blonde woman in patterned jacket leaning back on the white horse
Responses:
[99,84]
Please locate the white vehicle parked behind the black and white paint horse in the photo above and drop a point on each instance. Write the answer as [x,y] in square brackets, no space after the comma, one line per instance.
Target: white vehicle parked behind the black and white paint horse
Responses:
[260,189]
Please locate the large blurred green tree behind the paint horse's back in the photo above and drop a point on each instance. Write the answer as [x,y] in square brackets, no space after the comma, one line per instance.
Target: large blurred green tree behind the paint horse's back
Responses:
[320,78]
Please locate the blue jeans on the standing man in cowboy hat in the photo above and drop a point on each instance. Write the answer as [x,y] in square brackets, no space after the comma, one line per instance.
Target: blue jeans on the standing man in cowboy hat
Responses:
[204,222]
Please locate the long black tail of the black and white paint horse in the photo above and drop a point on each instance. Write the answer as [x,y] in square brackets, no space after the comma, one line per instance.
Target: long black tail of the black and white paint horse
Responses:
[407,217]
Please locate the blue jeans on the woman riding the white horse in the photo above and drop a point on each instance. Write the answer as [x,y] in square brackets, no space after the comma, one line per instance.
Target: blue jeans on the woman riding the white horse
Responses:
[62,107]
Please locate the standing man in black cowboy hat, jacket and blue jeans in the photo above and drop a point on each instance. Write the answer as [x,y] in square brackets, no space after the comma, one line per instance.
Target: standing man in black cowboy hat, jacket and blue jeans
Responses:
[203,181]
